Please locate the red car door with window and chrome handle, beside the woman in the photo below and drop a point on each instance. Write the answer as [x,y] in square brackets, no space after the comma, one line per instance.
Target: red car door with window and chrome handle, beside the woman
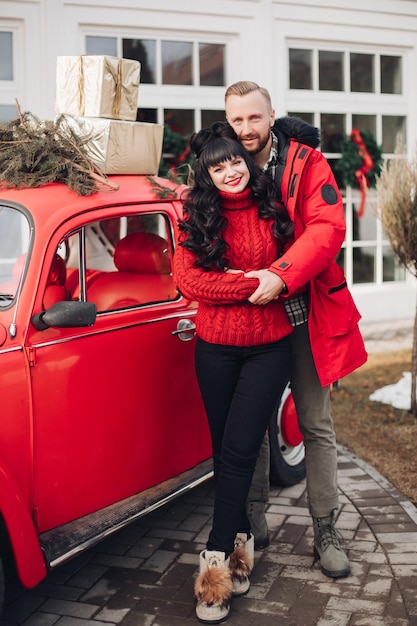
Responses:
[116,406]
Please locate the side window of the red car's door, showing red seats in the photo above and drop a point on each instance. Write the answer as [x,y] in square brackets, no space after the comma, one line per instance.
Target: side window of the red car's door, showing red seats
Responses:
[128,262]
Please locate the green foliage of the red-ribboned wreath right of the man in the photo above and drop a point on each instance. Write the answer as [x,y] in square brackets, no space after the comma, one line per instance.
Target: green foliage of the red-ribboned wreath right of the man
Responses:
[352,161]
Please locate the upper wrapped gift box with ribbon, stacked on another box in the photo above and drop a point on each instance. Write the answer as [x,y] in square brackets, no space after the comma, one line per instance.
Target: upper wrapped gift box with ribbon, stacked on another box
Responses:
[97,86]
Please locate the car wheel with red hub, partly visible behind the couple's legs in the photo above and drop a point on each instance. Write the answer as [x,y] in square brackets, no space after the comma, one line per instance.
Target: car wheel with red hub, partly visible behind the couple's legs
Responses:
[286,444]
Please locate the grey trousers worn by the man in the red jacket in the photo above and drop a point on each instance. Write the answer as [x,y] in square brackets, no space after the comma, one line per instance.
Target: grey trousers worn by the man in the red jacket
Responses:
[313,410]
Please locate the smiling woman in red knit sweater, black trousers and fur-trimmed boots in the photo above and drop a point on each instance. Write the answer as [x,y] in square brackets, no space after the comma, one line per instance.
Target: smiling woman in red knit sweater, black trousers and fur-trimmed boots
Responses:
[233,227]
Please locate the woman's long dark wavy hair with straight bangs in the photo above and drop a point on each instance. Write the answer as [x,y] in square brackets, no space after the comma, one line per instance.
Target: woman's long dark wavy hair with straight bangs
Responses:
[203,225]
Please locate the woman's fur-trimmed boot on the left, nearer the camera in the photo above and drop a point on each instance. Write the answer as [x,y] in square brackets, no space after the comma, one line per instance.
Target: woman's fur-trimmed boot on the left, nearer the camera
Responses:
[213,587]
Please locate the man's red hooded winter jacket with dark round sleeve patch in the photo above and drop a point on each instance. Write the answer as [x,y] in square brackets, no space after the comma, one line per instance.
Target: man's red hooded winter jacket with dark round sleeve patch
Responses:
[312,198]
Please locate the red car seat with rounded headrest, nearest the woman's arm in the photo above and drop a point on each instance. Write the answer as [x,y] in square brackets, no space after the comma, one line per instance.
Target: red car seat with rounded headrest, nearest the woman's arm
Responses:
[143,275]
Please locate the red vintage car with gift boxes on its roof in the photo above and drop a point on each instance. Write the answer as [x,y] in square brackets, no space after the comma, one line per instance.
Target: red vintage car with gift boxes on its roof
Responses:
[101,416]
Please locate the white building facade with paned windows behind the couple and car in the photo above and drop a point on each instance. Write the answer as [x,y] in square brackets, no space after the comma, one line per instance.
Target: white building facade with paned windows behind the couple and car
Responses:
[338,65]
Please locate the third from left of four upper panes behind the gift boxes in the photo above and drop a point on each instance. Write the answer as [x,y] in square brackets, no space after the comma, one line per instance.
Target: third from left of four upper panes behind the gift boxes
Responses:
[177,62]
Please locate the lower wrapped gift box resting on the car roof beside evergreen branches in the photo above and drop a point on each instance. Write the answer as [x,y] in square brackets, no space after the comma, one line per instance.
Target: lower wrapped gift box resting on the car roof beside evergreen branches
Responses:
[121,147]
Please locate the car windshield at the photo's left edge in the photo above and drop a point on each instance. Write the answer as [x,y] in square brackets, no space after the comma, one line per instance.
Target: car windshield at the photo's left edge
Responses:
[14,244]
